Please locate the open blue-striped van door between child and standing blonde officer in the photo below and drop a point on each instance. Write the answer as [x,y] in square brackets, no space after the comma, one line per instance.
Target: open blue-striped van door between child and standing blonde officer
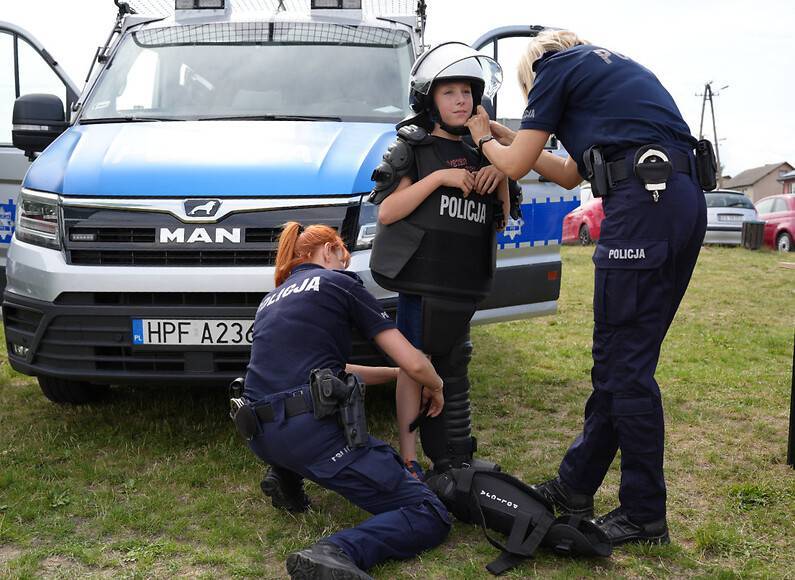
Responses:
[528,248]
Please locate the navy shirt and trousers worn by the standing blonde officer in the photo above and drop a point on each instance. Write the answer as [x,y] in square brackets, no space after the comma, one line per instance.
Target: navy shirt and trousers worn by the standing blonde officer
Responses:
[589,96]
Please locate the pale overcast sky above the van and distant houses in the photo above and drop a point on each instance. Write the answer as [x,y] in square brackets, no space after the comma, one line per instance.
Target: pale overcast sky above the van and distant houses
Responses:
[746,46]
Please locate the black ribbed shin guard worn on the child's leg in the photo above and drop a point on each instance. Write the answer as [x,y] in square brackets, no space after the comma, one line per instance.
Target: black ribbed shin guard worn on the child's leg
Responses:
[447,439]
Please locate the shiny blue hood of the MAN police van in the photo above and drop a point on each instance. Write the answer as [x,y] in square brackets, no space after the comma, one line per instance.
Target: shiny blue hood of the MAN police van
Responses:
[212,159]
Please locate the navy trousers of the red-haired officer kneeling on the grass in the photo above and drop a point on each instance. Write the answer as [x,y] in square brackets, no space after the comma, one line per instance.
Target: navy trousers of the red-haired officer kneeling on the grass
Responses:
[408,517]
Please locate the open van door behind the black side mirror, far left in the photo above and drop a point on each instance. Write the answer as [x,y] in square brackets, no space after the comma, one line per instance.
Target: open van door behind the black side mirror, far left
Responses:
[25,67]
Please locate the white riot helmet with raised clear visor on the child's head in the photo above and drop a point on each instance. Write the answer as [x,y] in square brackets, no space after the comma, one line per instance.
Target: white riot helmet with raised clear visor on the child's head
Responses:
[455,60]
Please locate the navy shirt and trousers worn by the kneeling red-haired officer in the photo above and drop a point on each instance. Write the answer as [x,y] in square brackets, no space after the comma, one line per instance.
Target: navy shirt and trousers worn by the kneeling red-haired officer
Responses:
[305,324]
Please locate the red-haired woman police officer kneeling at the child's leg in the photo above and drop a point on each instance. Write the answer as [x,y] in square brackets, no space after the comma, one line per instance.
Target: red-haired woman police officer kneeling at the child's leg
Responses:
[303,414]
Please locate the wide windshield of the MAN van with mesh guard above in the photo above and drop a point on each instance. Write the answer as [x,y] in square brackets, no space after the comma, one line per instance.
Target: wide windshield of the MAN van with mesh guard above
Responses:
[252,70]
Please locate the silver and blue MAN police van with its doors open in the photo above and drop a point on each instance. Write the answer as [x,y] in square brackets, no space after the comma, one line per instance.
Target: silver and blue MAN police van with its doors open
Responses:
[147,225]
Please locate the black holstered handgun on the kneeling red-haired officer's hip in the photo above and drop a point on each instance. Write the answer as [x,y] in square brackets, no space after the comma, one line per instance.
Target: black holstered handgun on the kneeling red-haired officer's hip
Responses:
[342,394]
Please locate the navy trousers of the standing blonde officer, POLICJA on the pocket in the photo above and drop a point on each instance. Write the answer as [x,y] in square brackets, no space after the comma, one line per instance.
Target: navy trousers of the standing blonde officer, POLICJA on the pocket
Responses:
[646,254]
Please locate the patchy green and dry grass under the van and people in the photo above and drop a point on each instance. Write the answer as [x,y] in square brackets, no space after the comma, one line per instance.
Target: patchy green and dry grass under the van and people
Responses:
[155,482]
